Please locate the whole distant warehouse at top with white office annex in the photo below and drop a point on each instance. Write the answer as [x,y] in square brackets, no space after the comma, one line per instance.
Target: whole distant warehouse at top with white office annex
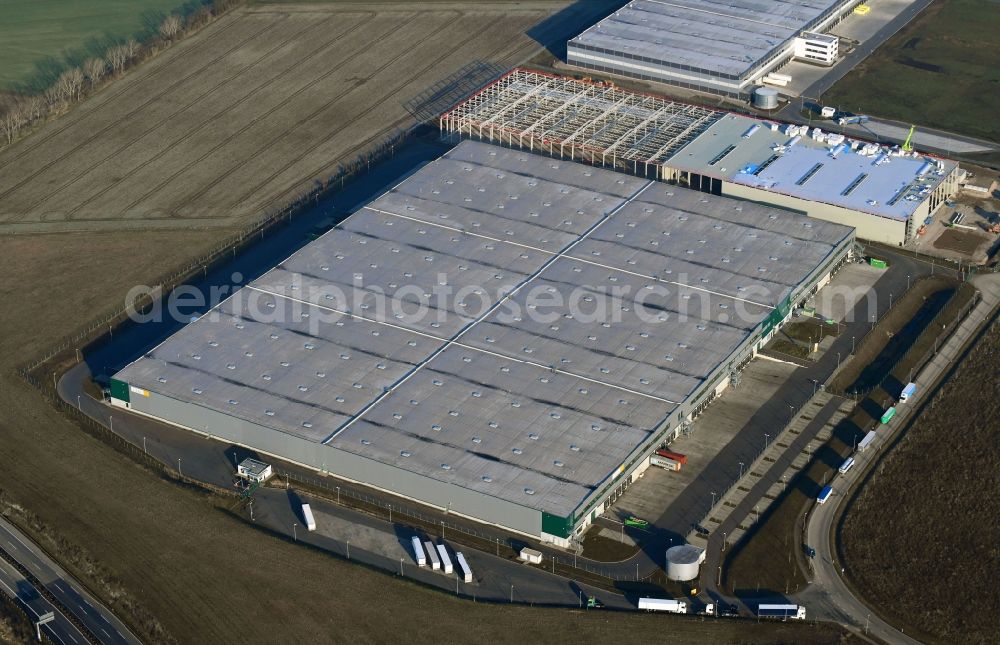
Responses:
[717,46]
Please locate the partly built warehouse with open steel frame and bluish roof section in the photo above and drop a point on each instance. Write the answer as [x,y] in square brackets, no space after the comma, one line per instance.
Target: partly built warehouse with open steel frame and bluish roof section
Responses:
[883,194]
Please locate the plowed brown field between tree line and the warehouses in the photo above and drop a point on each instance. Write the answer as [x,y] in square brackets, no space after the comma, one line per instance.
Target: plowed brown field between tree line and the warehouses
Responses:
[250,112]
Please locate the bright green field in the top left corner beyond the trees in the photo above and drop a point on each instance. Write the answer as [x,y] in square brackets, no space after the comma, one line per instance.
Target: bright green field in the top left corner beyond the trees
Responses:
[40,38]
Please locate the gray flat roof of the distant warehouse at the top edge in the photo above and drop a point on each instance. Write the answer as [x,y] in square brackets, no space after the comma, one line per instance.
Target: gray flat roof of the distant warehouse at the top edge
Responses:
[726,37]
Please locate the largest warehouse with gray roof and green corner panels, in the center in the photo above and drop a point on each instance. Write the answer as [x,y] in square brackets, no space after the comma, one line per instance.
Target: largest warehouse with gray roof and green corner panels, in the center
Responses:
[502,335]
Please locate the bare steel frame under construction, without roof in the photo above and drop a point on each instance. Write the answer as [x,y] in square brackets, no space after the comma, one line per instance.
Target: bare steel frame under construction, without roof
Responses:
[581,120]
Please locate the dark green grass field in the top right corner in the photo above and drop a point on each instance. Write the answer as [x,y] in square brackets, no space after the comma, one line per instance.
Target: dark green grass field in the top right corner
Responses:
[939,71]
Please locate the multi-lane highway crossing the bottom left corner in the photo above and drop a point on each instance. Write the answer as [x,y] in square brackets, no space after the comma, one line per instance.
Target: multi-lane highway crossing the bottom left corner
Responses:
[88,611]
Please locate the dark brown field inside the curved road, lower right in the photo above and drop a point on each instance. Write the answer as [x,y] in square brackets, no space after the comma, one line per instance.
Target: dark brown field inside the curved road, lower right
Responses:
[920,540]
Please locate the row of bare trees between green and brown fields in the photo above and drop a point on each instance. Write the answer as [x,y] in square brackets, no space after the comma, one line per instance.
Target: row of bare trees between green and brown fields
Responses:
[77,83]
